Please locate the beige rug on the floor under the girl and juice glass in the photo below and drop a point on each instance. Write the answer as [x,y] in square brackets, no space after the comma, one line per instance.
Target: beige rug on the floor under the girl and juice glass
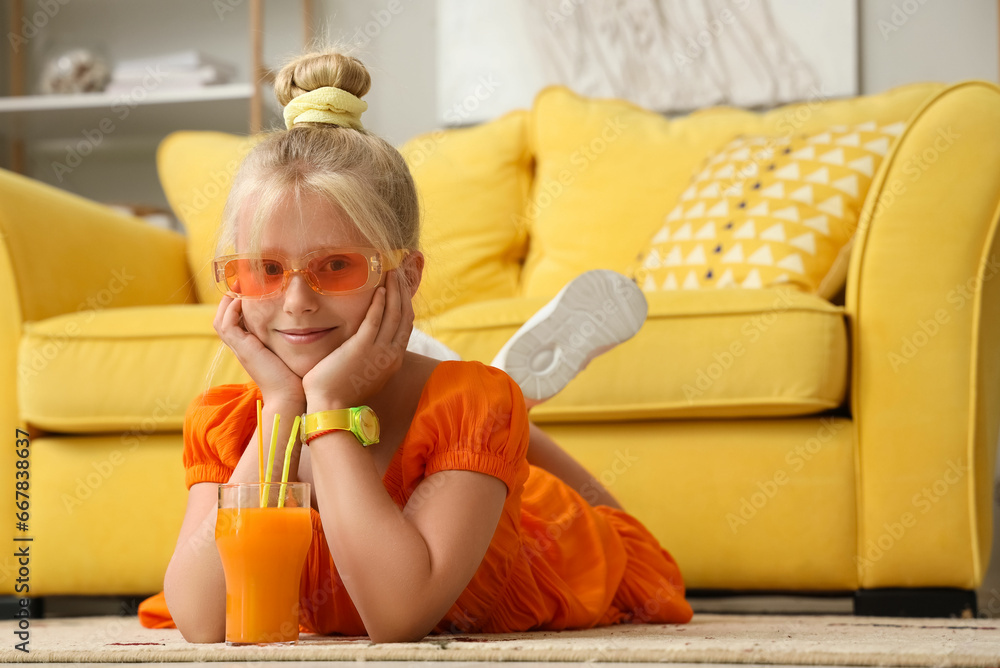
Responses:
[708,638]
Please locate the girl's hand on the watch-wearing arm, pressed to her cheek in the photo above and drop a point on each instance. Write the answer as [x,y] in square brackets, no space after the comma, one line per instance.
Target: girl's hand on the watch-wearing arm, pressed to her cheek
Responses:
[361,366]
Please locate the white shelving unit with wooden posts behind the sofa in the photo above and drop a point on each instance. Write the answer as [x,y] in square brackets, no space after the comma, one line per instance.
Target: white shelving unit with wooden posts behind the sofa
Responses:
[110,140]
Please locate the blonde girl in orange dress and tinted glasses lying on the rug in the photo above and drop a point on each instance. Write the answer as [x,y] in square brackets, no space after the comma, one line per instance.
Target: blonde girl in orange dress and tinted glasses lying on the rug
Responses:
[442,525]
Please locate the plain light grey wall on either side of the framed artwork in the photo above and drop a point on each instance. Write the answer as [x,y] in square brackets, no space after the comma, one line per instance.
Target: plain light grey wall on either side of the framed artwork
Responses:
[919,40]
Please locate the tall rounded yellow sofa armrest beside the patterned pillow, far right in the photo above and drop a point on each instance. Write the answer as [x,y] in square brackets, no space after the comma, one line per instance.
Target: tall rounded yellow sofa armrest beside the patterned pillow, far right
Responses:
[923,299]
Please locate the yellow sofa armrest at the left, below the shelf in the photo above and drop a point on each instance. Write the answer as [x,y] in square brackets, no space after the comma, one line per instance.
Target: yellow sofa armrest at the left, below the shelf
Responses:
[66,254]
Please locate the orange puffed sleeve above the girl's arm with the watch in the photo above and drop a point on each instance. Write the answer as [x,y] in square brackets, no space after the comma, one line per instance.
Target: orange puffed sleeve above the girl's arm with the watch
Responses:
[479,423]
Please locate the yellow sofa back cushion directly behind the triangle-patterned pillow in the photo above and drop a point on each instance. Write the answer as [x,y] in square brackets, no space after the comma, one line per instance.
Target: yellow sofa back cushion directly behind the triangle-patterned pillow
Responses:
[609,172]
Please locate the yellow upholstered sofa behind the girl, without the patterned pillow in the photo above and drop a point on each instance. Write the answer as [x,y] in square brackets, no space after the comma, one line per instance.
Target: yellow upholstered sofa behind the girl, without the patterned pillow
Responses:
[771,439]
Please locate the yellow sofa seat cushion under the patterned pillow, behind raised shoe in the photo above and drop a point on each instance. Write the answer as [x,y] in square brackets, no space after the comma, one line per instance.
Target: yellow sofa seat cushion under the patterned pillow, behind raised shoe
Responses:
[701,353]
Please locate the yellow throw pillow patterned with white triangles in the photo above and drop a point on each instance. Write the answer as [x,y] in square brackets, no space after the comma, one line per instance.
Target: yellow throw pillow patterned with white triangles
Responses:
[769,210]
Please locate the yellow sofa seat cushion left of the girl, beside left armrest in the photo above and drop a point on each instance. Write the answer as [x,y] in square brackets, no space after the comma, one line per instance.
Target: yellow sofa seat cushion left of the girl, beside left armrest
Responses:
[129,370]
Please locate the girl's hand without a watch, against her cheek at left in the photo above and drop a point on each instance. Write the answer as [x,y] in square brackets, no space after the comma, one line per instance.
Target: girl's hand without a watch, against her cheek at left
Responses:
[275,380]
